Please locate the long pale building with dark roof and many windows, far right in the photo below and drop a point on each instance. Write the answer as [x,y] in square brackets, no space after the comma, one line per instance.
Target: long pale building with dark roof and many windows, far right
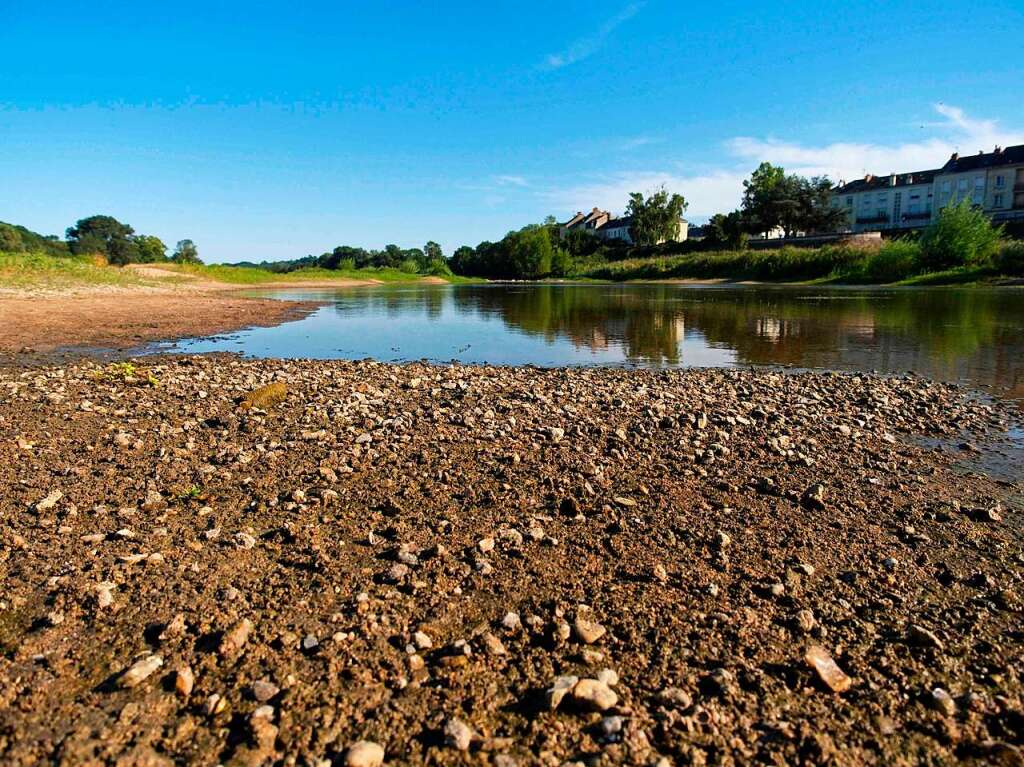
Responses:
[907,201]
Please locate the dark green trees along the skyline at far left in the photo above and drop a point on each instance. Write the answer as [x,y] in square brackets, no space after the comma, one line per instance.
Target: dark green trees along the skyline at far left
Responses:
[103,236]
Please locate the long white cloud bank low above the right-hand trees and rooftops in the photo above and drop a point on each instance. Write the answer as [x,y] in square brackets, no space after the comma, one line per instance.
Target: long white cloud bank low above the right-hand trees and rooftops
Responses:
[721,190]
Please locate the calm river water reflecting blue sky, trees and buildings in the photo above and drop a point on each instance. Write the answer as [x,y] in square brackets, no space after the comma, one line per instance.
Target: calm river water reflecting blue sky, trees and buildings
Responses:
[975,335]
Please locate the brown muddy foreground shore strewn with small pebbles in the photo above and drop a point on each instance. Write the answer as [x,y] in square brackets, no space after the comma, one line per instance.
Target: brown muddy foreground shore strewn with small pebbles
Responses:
[414,556]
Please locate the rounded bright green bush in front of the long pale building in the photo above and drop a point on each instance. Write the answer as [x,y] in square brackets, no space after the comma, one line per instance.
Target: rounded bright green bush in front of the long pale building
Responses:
[962,236]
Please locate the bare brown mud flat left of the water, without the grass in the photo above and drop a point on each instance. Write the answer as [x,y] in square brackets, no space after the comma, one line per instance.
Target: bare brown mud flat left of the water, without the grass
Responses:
[34,328]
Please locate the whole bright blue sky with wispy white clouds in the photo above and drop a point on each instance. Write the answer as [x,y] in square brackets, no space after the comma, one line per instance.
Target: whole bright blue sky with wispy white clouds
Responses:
[264,132]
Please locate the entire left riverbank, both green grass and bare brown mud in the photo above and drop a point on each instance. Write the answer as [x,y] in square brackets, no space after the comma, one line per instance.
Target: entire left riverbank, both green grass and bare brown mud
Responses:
[70,303]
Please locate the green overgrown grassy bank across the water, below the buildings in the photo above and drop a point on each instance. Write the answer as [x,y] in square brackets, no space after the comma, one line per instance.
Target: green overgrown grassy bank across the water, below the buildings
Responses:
[894,263]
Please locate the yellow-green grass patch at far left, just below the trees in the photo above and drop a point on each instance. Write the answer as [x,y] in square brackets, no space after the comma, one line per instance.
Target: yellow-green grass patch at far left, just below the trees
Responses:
[41,271]
